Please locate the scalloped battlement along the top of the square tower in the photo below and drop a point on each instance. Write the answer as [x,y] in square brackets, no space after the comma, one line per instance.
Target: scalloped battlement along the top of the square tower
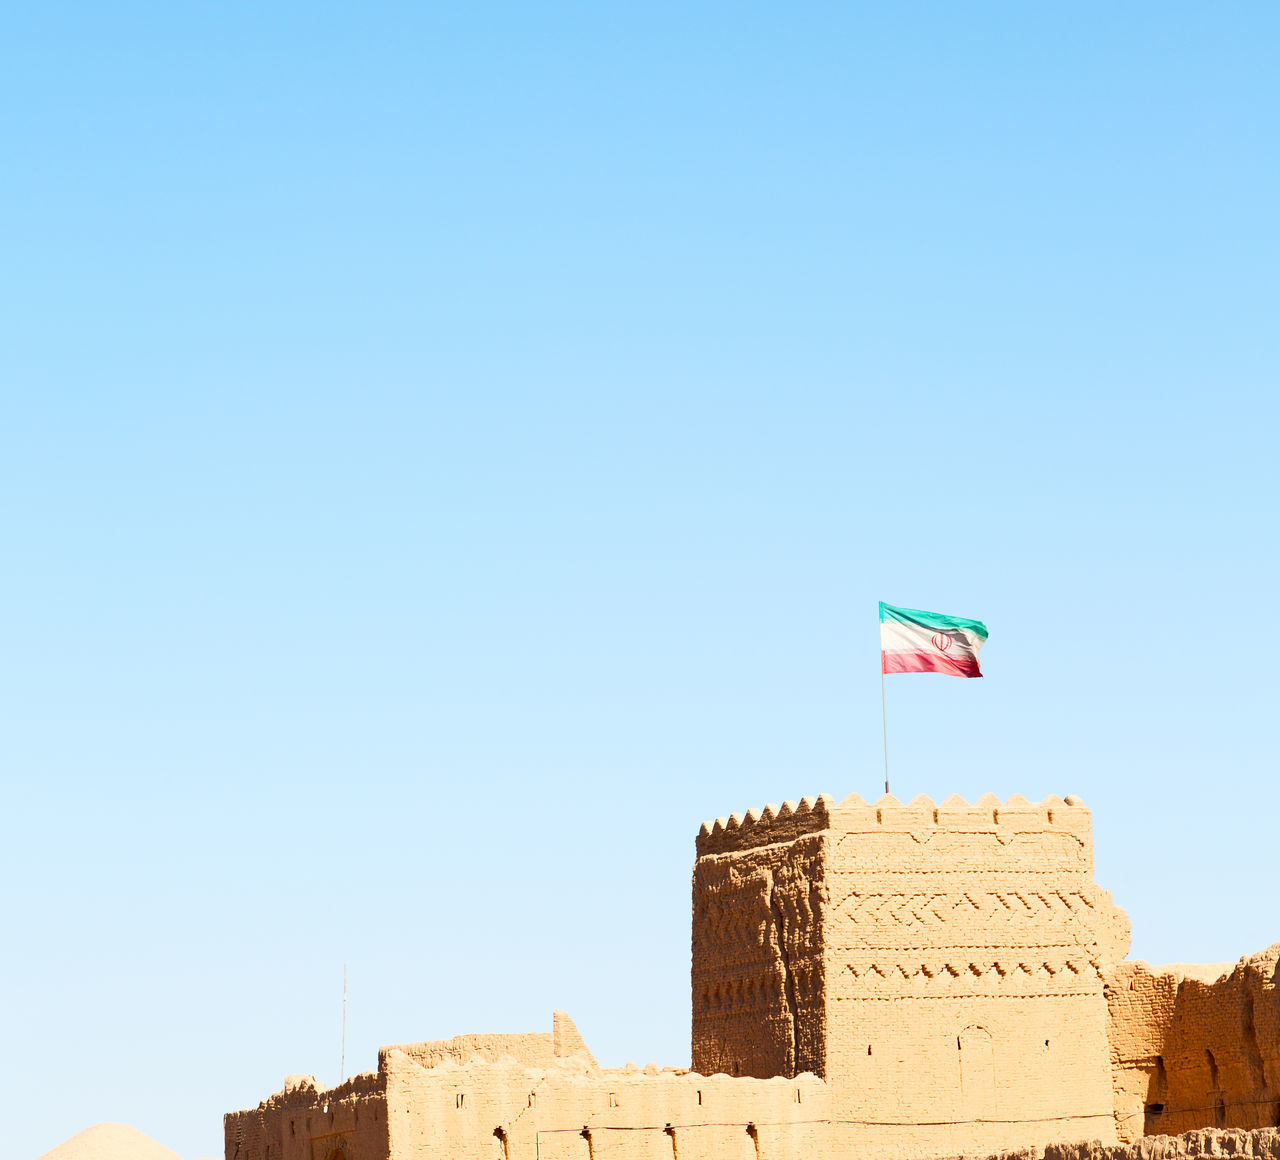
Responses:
[989,815]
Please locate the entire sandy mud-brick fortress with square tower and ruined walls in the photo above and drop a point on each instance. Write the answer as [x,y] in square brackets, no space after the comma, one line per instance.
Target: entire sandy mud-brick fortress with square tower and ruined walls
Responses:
[868,981]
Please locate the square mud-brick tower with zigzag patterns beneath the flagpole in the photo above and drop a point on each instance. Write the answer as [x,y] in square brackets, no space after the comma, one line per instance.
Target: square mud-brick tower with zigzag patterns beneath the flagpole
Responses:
[944,961]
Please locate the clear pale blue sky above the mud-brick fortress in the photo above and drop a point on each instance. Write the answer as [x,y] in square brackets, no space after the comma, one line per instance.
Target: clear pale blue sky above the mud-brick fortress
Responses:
[447,453]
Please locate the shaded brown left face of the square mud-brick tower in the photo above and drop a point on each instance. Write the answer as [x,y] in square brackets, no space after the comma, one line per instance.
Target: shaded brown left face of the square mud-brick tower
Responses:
[760,882]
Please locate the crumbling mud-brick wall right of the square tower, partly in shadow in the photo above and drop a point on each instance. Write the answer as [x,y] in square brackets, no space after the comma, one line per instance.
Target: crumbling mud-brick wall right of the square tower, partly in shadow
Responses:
[1196,1048]
